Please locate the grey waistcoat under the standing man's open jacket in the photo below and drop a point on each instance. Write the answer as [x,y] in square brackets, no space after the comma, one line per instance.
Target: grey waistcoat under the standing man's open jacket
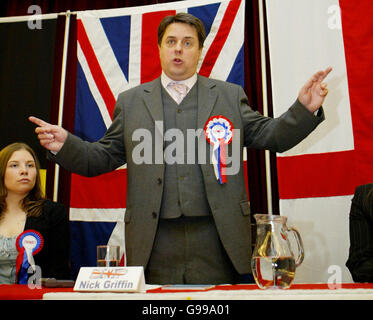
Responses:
[183,191]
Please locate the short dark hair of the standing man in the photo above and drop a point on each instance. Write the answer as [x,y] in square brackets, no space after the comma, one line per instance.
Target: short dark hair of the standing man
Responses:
[183,17]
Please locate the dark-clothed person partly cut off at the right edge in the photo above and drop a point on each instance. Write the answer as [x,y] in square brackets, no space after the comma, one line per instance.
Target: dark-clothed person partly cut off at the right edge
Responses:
[360,260]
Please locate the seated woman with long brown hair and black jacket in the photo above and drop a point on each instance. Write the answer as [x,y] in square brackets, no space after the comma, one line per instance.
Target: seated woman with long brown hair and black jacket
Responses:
[23,208]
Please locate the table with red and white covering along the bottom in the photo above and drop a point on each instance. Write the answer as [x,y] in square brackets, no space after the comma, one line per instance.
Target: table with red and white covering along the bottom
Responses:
[316,291]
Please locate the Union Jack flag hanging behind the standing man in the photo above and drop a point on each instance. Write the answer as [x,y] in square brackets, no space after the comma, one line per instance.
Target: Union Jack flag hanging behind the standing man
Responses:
[117,50]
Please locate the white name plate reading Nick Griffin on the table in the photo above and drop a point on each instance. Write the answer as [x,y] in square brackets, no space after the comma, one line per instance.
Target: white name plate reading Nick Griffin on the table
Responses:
[110,279]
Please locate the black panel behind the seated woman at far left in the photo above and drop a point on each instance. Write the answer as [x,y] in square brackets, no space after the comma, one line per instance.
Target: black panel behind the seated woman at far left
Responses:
[26,69]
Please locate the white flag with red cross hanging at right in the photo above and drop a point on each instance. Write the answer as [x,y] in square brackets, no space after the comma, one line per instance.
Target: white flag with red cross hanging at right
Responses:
[317,178]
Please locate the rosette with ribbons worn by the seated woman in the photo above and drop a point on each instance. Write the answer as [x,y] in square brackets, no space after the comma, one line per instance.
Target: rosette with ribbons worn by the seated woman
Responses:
[28,243]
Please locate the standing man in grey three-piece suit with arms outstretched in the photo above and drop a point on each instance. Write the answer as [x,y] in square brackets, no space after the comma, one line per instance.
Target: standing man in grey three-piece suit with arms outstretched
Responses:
[186,222]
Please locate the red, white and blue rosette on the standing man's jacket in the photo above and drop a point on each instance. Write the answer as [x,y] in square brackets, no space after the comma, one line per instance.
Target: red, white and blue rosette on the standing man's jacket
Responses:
[219,133]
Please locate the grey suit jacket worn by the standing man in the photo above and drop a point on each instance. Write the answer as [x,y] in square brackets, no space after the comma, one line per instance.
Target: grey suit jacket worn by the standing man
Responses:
[141,107]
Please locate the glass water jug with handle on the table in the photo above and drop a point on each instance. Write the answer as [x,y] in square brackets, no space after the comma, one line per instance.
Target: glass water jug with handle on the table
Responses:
[273,262]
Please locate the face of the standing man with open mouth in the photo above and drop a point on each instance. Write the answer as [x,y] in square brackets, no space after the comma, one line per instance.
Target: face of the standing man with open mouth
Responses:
[179,51]
